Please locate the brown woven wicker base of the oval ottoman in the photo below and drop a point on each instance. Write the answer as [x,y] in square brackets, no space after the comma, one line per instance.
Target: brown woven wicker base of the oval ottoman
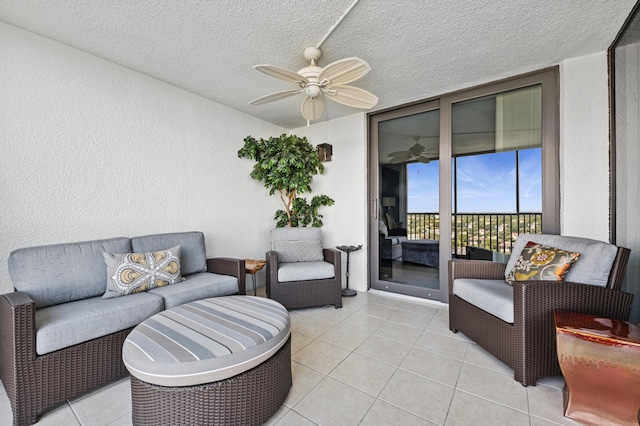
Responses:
[250,398]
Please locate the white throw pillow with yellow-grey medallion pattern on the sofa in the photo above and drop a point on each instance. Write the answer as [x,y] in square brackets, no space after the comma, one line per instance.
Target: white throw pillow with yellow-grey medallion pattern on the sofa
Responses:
[135,272]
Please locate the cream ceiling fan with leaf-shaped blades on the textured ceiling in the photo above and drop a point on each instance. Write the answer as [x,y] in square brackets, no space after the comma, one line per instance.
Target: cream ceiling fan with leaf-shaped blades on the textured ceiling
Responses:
[317,83]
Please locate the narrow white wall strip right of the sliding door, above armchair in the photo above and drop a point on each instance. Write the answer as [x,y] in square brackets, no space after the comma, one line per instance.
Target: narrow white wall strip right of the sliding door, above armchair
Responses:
[584,147]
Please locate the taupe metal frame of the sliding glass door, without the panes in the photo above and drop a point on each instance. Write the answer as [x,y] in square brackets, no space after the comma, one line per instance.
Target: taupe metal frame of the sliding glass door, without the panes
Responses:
[549,80]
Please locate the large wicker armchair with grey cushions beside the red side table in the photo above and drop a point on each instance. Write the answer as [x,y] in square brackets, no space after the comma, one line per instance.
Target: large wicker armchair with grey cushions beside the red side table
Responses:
[527,345]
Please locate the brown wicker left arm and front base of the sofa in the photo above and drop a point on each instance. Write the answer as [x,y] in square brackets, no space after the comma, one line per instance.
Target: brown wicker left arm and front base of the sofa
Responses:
[36,384]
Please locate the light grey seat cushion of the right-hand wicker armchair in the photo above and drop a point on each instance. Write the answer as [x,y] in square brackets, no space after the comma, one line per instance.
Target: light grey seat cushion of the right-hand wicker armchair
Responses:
[492,296]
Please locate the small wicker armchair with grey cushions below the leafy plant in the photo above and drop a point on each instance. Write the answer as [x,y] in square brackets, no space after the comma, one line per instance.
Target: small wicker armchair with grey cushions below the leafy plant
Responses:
[298,277]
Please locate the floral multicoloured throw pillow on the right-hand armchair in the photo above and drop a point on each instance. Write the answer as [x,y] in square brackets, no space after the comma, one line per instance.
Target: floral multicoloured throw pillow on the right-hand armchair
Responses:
[541,263]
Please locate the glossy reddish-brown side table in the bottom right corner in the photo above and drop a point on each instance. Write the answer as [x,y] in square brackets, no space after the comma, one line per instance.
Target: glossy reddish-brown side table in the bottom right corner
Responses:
[600,361]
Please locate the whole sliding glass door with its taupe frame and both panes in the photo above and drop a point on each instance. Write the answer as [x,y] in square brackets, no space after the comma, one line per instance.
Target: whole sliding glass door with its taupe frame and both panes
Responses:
[460,178]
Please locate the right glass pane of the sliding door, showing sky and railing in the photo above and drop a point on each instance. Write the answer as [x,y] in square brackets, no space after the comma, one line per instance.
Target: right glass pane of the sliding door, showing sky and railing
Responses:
[496,172]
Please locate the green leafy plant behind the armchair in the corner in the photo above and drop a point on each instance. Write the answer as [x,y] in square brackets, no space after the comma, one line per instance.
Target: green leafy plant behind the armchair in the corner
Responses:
[286,164]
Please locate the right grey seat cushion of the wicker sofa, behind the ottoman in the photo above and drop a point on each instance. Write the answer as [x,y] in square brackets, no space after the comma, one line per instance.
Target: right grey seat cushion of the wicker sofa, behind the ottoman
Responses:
[195,287]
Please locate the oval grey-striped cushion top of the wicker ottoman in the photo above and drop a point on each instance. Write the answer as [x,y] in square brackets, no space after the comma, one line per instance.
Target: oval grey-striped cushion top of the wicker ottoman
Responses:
[206,341]
